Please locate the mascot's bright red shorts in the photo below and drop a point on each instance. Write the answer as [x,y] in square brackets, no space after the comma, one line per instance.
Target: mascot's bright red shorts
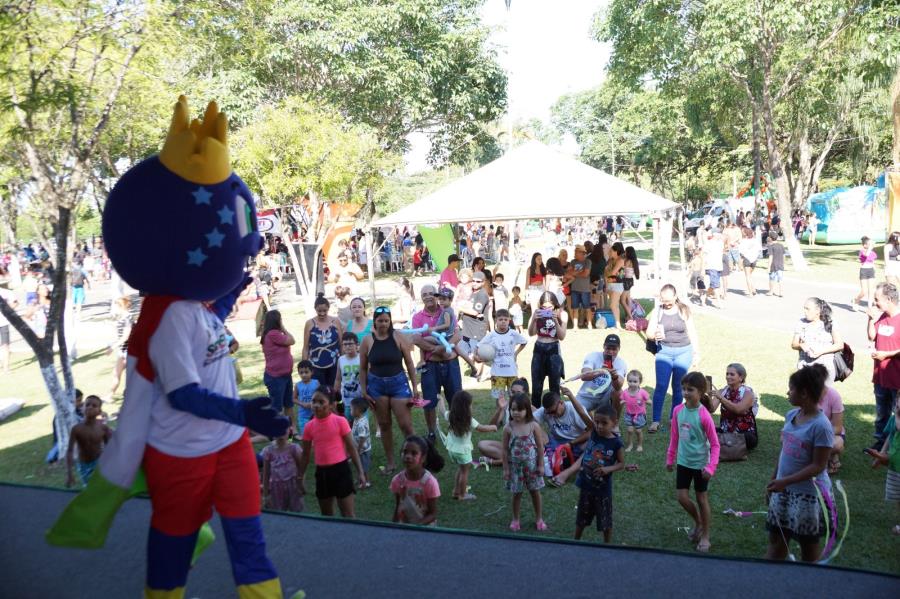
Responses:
[183,491]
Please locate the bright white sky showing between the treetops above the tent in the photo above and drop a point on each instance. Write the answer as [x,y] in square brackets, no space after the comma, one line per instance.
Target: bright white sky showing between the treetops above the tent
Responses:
[546,49]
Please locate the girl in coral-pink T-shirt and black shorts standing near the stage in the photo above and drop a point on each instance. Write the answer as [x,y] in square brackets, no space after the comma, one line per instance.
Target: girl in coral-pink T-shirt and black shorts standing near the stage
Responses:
[328,436]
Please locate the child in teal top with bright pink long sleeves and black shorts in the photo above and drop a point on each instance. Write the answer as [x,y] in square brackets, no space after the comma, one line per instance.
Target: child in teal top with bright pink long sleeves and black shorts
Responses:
[694,445]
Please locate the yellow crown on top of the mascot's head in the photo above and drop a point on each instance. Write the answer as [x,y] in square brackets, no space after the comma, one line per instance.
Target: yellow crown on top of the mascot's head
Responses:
[197,151]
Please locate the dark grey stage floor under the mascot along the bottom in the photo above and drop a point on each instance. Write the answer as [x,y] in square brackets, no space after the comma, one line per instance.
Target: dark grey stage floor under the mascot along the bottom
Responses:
[334,558]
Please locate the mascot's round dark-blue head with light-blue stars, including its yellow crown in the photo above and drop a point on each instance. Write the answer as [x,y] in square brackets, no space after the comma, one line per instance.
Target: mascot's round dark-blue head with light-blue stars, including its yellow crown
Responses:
[182,223]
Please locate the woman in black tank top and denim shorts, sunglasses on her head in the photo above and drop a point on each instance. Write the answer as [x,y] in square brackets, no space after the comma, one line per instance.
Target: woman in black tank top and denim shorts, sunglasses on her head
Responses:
[383,382]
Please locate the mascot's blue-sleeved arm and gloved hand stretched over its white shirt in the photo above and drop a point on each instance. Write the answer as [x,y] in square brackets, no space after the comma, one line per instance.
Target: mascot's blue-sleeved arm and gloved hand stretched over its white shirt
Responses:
[254,414]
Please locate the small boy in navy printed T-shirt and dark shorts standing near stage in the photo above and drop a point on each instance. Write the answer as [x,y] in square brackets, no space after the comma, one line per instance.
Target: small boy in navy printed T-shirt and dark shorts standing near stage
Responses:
[602,456]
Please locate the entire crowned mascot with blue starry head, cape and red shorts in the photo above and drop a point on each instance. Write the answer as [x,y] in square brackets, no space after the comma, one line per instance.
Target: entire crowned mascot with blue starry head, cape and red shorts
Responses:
[181,227]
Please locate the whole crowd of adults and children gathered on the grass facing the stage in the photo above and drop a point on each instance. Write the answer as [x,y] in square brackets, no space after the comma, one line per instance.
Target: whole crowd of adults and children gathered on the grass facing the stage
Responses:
[355,358]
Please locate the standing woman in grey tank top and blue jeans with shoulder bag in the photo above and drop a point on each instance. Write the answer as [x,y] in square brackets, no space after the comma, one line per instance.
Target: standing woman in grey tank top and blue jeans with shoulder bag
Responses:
[677,350]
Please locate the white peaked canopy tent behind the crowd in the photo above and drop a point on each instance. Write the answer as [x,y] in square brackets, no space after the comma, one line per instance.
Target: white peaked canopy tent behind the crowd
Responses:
[534,181]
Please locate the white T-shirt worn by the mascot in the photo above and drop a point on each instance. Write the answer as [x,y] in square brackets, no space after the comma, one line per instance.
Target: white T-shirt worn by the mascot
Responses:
[189,346]
